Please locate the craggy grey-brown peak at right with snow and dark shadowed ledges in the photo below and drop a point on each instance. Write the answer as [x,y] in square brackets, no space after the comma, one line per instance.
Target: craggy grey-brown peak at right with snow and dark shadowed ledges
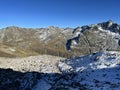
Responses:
[97,37]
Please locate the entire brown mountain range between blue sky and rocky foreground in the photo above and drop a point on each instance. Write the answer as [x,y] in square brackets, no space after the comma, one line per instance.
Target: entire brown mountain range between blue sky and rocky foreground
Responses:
[64,42]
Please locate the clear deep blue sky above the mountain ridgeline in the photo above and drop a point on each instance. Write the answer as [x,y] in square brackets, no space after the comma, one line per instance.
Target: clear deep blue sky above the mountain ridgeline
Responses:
[62,13]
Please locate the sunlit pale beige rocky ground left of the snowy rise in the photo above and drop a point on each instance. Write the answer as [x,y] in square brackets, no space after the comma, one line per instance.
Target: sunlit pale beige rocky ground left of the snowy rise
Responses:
[41,63]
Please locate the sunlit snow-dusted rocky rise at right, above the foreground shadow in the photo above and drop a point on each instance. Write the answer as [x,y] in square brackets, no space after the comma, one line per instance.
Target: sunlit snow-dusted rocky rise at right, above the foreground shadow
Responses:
[94,61]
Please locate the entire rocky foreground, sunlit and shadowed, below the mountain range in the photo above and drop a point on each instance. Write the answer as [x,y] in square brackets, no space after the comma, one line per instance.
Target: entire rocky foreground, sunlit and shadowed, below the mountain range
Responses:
[97,71]
